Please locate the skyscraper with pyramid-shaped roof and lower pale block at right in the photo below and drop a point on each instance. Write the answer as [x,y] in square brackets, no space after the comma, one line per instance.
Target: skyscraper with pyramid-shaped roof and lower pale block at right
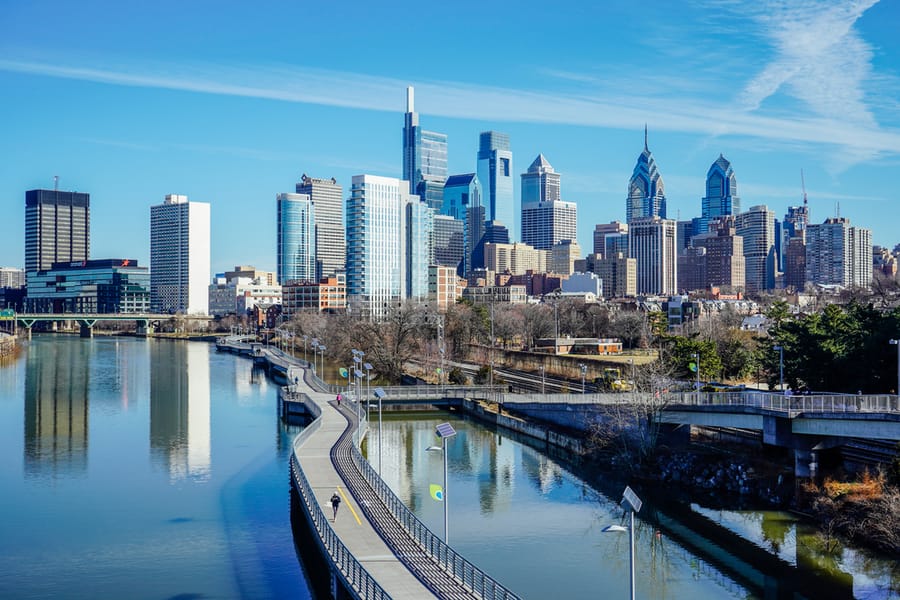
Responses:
[546,220]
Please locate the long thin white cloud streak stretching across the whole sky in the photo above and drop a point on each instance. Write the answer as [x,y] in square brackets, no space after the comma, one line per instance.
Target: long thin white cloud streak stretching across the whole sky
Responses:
[860,137]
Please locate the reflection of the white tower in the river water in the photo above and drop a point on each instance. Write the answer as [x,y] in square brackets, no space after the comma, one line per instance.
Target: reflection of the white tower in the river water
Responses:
[180,409]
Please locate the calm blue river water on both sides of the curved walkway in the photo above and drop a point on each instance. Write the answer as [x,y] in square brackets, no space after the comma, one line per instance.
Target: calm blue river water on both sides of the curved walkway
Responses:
[158,469]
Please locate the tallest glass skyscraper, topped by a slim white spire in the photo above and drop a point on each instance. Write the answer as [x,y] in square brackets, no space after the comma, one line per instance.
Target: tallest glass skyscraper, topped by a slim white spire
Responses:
[424,157]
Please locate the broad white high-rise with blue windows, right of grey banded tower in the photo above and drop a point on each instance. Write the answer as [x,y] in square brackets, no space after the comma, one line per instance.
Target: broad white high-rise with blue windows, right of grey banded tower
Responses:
[379,244]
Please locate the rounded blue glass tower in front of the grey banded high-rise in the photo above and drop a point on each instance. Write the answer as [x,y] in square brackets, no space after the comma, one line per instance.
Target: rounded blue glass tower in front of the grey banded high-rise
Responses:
[296,238]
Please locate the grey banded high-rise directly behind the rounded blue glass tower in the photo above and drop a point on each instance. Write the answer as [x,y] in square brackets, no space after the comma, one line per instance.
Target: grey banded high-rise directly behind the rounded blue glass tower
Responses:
[328,201]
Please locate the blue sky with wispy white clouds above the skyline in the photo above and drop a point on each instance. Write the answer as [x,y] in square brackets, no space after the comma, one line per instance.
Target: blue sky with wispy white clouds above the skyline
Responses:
[230,102]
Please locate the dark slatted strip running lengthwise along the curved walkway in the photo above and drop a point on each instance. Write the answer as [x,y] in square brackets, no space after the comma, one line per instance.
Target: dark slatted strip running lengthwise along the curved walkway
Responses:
[434,576]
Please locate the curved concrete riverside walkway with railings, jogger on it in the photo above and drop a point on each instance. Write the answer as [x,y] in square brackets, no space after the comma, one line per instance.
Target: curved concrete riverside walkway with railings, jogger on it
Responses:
[380,548]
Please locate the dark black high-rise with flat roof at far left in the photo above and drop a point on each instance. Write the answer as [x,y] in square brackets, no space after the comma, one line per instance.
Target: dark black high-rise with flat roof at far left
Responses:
[57,228]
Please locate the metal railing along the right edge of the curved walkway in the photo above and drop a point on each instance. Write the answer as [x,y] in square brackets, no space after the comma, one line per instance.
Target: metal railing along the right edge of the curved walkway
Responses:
[472,577]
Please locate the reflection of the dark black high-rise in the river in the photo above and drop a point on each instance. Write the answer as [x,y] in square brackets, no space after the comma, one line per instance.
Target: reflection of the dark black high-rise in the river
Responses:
[56,411]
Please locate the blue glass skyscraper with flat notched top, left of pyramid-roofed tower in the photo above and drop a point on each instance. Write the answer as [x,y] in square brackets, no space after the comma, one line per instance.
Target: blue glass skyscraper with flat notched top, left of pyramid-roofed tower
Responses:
[495,173]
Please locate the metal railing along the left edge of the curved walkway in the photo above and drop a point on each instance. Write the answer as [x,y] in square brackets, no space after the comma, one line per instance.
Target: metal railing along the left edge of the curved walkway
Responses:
[350,570]
